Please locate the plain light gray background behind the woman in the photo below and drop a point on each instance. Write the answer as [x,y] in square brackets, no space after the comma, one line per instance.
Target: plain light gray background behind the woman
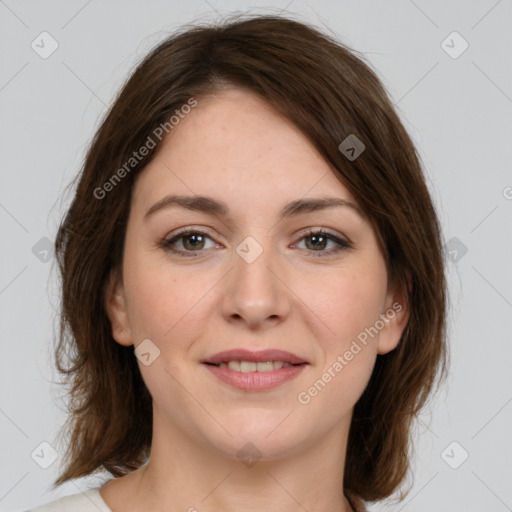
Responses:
[459,113]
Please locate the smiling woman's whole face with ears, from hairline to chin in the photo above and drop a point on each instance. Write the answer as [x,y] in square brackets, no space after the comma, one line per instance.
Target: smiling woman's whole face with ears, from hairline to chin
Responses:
[250,278]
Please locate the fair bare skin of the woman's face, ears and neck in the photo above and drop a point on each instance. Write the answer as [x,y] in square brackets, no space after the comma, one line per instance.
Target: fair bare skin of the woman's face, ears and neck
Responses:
[234,148]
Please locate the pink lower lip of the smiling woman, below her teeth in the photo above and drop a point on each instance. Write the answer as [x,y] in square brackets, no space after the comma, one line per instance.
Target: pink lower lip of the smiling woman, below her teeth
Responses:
[256,381]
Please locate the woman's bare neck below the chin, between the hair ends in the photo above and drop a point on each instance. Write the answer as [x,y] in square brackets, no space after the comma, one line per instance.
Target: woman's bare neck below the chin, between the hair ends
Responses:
[184,473]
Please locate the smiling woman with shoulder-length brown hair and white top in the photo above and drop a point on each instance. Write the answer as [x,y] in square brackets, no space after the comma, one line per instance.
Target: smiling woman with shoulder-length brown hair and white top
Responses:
[253,289]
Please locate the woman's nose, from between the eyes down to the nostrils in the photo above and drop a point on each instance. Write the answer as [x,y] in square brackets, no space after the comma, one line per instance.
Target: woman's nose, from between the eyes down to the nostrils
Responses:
[255,292]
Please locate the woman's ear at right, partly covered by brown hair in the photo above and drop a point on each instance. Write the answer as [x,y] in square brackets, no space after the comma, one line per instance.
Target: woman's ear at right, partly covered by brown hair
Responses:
[395,316]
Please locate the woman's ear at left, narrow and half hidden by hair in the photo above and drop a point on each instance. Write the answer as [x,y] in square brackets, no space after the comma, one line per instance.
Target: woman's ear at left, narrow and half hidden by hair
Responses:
[115,304]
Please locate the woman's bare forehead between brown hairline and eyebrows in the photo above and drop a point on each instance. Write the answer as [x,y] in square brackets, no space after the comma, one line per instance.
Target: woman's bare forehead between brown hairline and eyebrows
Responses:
[234,146]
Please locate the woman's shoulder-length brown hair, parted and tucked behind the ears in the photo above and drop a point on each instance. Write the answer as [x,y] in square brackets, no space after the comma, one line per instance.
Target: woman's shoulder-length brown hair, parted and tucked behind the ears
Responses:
[329,93]
